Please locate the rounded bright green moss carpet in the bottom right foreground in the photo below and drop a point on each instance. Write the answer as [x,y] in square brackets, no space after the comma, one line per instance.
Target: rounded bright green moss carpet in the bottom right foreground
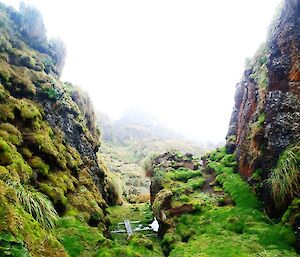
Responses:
[229,231]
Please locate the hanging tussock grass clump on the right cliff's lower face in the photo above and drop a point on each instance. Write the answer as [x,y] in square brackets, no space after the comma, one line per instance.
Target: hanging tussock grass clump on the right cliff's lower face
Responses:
[285,178]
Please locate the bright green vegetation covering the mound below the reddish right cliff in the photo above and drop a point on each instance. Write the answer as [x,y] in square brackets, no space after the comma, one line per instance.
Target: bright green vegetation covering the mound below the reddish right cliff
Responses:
[227,220]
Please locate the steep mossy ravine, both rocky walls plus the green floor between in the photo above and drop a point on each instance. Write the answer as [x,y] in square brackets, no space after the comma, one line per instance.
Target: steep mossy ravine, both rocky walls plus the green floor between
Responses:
[239,200]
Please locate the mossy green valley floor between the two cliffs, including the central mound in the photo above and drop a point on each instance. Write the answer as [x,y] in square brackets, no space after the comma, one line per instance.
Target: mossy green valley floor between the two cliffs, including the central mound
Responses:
[212,212]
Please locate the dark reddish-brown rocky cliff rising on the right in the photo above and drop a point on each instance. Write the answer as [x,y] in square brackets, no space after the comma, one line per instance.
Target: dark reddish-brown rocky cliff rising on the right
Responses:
[265,124]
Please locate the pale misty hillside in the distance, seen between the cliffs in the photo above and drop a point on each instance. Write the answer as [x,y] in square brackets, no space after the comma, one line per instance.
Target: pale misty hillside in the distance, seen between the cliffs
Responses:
[131,144]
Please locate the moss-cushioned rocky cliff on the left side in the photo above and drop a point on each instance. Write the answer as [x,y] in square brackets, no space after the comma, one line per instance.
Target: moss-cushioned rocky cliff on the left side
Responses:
[48,144]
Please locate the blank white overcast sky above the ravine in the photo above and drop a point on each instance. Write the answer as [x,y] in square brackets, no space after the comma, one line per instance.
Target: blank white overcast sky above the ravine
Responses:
[177,59]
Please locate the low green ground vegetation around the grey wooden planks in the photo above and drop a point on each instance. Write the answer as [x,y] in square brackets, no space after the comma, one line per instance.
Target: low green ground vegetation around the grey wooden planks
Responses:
[79,239]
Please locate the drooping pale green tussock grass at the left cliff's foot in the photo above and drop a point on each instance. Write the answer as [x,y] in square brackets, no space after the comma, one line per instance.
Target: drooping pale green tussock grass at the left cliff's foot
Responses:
[36,204]
